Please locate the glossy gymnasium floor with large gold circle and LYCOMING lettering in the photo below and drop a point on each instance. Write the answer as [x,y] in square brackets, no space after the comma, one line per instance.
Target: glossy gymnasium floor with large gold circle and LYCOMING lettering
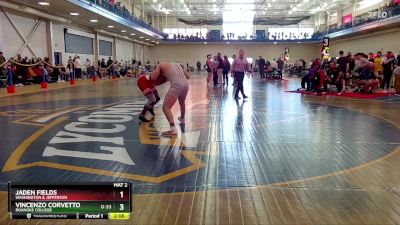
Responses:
[277,158]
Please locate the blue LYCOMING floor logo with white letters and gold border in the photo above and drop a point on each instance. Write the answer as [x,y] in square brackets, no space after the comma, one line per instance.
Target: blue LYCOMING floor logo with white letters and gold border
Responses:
[104,140]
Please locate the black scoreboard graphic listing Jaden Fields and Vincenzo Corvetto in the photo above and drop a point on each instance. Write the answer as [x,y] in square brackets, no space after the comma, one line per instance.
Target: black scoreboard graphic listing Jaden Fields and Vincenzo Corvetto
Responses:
[70,201]
